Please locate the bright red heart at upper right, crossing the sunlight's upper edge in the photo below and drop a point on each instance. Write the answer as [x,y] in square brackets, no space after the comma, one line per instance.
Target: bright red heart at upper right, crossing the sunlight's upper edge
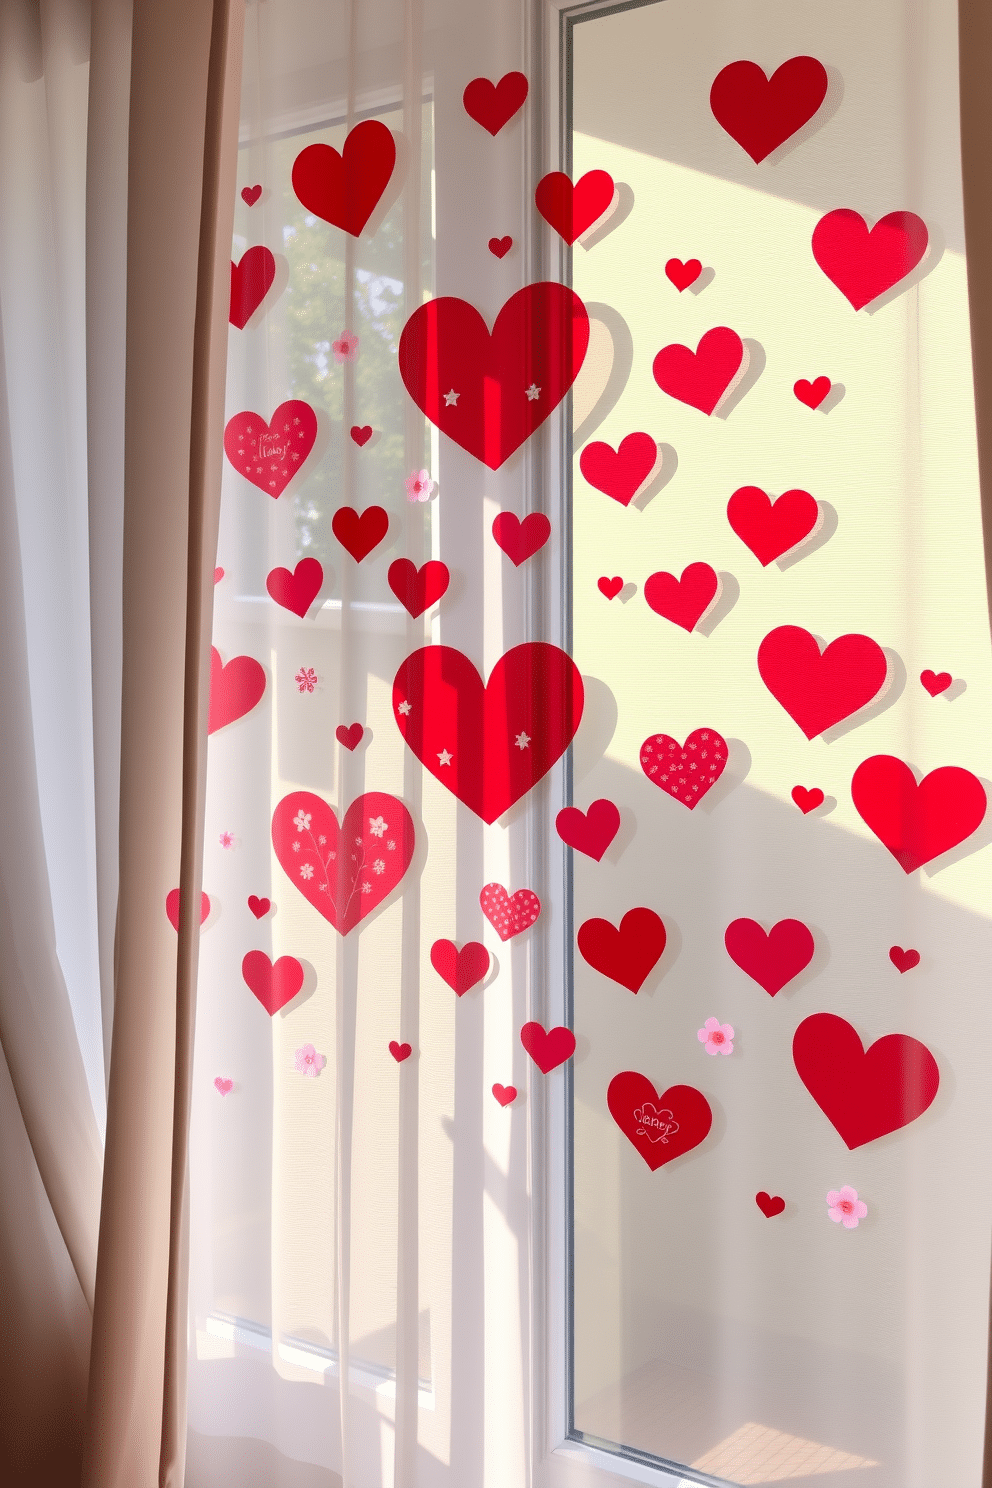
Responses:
[863,264]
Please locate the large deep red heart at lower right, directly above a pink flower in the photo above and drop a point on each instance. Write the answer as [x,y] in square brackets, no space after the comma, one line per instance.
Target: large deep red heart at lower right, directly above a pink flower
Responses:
[863,1093]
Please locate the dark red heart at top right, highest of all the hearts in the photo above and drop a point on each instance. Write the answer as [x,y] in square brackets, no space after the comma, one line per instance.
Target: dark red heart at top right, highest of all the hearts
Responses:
[762,112]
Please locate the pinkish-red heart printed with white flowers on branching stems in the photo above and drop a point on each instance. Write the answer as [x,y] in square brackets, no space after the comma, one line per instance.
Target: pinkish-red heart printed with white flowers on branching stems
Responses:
[344,874]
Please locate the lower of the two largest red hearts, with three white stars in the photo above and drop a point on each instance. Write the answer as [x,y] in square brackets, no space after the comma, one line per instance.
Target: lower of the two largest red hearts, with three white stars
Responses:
[489,743]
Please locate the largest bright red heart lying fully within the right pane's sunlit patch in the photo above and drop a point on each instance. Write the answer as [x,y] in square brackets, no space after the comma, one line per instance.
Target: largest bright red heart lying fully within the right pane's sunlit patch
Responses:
[822,690]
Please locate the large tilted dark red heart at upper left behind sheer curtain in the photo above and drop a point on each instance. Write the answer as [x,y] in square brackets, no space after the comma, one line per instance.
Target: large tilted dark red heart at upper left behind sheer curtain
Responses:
[346,190]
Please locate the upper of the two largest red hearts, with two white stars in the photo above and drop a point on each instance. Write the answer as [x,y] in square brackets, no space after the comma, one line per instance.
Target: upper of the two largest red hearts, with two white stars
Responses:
[492,391]
